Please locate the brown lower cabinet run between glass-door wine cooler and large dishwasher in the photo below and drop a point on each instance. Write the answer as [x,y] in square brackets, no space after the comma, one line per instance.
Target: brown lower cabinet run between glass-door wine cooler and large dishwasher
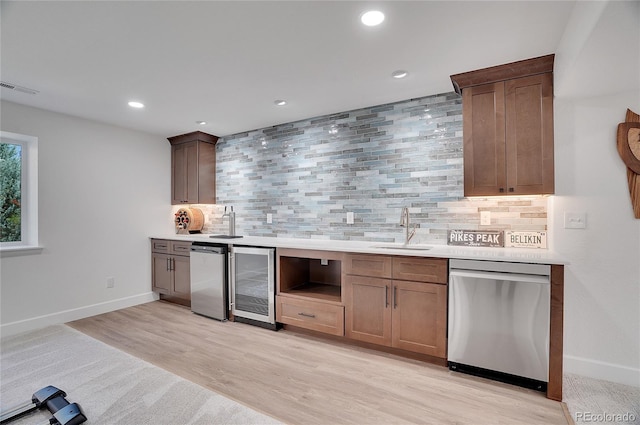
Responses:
[392,301]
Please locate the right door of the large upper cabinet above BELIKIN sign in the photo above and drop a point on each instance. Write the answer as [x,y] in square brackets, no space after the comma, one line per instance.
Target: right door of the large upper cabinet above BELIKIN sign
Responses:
[529,135]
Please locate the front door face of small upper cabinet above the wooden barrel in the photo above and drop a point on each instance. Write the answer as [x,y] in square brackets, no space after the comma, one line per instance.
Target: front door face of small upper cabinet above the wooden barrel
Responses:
[184,173]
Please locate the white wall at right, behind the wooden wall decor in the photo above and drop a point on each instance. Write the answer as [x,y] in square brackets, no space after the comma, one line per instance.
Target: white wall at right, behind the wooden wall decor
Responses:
[600,79]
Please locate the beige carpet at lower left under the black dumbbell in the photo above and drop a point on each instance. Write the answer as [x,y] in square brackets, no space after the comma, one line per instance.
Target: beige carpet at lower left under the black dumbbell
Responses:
[111,386]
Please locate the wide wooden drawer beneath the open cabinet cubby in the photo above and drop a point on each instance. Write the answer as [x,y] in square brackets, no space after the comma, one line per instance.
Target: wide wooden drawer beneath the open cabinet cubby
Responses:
[312,315]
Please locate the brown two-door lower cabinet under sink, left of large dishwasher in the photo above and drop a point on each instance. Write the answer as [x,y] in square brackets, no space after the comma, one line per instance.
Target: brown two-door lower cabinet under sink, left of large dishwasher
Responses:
[409,315]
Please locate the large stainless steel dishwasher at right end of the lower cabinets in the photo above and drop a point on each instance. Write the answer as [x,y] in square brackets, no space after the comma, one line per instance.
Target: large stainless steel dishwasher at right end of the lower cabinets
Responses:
[499,321]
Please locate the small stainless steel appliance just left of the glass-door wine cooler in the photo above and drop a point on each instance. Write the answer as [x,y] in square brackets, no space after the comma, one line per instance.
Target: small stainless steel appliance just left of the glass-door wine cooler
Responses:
[208,267]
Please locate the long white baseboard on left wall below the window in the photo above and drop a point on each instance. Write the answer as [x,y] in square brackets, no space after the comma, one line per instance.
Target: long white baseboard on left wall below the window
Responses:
[8,329]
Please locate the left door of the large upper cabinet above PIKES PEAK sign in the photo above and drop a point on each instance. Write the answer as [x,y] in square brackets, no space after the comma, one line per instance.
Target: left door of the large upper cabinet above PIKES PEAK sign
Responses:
[483,113]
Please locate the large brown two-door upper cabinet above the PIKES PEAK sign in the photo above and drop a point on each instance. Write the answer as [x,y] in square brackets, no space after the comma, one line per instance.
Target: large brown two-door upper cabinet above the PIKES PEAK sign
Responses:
[508,128]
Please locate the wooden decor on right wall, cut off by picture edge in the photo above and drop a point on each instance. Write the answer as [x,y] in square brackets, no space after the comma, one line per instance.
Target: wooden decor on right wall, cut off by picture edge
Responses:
[629,150]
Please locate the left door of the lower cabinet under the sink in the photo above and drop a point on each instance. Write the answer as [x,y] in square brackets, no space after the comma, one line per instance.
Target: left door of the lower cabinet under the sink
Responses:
[368,309]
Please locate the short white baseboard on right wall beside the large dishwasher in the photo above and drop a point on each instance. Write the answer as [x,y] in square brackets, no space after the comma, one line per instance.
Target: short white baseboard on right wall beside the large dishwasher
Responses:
[602,370]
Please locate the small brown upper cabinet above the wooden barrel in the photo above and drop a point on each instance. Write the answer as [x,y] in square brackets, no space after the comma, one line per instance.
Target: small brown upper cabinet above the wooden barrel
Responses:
[193,168]
